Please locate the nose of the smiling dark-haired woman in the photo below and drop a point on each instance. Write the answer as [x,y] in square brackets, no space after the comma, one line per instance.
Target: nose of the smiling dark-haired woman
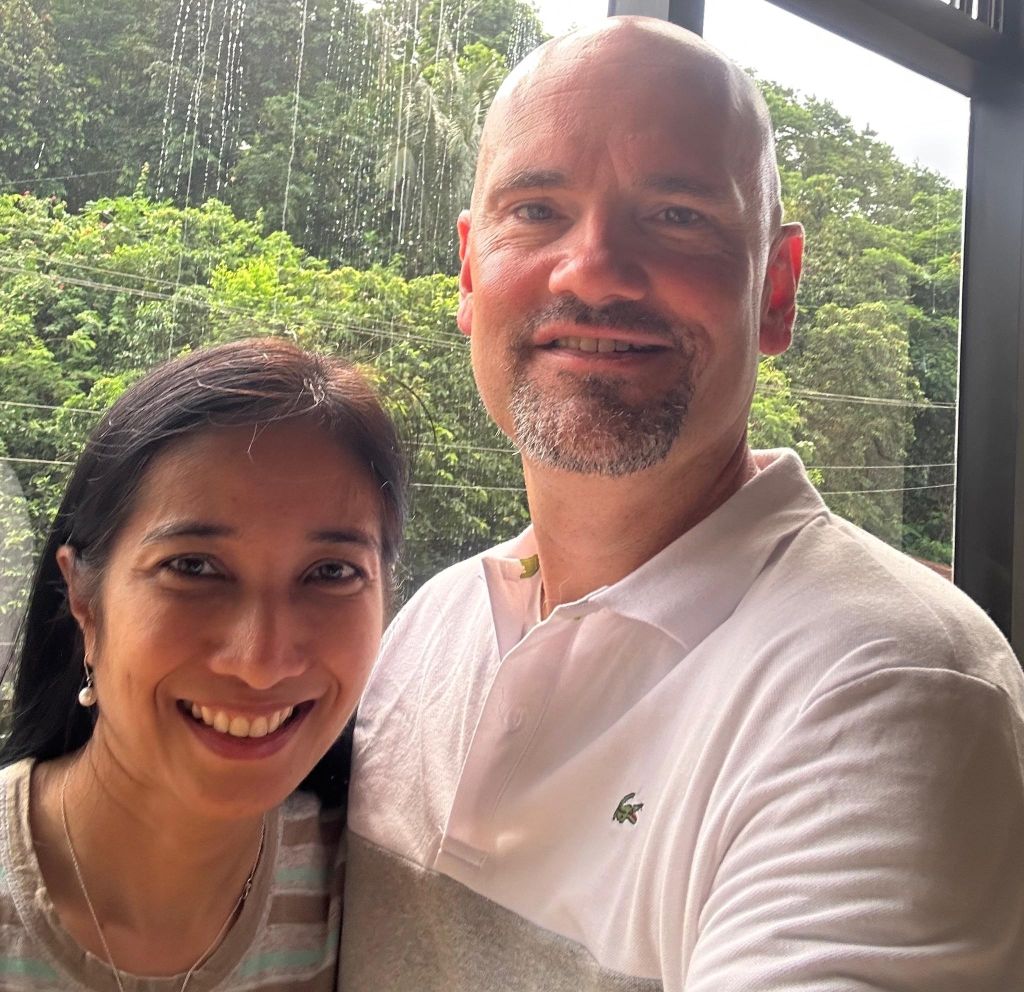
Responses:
[266,641]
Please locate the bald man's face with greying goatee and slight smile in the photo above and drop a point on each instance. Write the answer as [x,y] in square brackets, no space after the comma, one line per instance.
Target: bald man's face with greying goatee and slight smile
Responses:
[614,267]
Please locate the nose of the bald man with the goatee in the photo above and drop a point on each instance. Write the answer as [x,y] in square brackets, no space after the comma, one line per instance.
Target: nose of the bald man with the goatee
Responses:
[601,265]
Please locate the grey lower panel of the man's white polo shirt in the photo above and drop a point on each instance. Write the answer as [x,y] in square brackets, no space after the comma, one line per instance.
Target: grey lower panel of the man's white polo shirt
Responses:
[408,930]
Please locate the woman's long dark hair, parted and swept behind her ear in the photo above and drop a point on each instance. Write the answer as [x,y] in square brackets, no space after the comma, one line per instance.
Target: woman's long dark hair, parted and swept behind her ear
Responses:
[259,381]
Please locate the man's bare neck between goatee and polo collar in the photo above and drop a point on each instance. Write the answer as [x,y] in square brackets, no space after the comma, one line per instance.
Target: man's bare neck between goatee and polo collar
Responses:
[593,531]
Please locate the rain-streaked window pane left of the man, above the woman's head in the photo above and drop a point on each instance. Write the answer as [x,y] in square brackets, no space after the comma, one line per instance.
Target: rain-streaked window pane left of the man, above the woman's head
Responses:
[185,172]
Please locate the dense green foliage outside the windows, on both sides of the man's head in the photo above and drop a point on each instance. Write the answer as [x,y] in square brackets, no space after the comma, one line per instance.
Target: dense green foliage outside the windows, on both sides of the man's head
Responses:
[296,167]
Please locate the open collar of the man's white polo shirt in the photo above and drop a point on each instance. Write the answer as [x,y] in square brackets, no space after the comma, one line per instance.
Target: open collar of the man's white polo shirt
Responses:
[694,585]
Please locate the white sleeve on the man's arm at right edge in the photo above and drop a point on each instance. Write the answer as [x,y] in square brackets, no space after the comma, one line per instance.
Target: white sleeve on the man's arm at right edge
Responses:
[879,847]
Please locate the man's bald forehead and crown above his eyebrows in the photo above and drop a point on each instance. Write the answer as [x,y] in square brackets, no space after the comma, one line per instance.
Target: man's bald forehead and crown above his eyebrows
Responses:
[662,103]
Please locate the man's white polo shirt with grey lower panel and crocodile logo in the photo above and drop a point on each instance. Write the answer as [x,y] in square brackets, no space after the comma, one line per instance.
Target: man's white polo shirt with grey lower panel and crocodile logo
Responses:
[779,756]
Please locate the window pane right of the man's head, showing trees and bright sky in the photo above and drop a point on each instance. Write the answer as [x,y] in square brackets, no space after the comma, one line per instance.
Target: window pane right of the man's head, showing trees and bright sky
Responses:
[874,162]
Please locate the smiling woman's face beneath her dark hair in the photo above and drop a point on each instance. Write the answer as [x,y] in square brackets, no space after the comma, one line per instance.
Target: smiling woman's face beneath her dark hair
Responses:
[238,617]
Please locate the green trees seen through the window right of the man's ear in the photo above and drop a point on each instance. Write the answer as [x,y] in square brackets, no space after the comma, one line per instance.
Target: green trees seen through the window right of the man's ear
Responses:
[880,232]
